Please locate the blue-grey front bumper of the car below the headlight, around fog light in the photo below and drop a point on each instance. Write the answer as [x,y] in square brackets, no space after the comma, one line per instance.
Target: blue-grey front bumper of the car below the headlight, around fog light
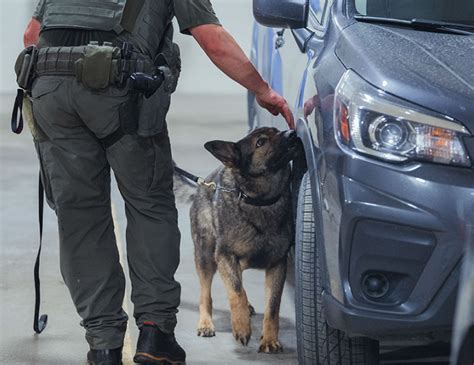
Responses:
[404,223]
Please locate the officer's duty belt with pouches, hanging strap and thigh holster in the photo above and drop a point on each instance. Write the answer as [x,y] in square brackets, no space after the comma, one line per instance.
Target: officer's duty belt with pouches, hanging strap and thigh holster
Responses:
[97,68]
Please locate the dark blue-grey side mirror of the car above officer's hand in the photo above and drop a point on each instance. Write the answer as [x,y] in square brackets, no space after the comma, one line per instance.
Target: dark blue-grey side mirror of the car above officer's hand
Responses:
[281,13]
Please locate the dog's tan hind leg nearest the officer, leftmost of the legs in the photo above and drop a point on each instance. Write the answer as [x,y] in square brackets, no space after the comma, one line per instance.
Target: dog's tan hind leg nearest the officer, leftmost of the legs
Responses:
[206,268]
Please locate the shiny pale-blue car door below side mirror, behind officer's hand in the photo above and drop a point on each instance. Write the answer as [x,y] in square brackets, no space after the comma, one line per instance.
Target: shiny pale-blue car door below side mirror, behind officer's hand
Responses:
[278,55]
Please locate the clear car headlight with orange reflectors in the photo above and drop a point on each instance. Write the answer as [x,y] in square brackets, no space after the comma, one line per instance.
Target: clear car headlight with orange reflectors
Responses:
[375,123]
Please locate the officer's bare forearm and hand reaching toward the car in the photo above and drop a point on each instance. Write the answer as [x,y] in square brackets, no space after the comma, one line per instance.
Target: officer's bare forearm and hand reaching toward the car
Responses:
[227,55]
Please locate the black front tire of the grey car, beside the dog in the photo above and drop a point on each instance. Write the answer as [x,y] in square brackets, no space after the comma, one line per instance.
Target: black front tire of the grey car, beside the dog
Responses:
[318,343]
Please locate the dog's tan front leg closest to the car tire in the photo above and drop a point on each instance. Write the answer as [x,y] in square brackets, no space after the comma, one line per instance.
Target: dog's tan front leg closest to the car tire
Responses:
[274,283]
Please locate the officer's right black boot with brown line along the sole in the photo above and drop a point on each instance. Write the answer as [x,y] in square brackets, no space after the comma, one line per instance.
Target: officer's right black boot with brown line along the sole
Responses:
[156,347]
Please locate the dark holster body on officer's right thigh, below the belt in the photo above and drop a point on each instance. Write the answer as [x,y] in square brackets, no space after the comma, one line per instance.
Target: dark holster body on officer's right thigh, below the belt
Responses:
[153,110]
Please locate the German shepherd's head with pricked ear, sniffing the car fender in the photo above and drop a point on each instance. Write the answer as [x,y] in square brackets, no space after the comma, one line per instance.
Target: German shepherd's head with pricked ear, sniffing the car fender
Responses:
[264,151]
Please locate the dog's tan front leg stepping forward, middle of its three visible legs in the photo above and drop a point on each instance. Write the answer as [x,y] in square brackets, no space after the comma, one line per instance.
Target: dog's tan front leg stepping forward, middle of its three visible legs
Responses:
[231,274]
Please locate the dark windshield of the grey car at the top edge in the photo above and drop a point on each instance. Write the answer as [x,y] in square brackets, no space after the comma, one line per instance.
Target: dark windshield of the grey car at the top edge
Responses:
[451,11]
